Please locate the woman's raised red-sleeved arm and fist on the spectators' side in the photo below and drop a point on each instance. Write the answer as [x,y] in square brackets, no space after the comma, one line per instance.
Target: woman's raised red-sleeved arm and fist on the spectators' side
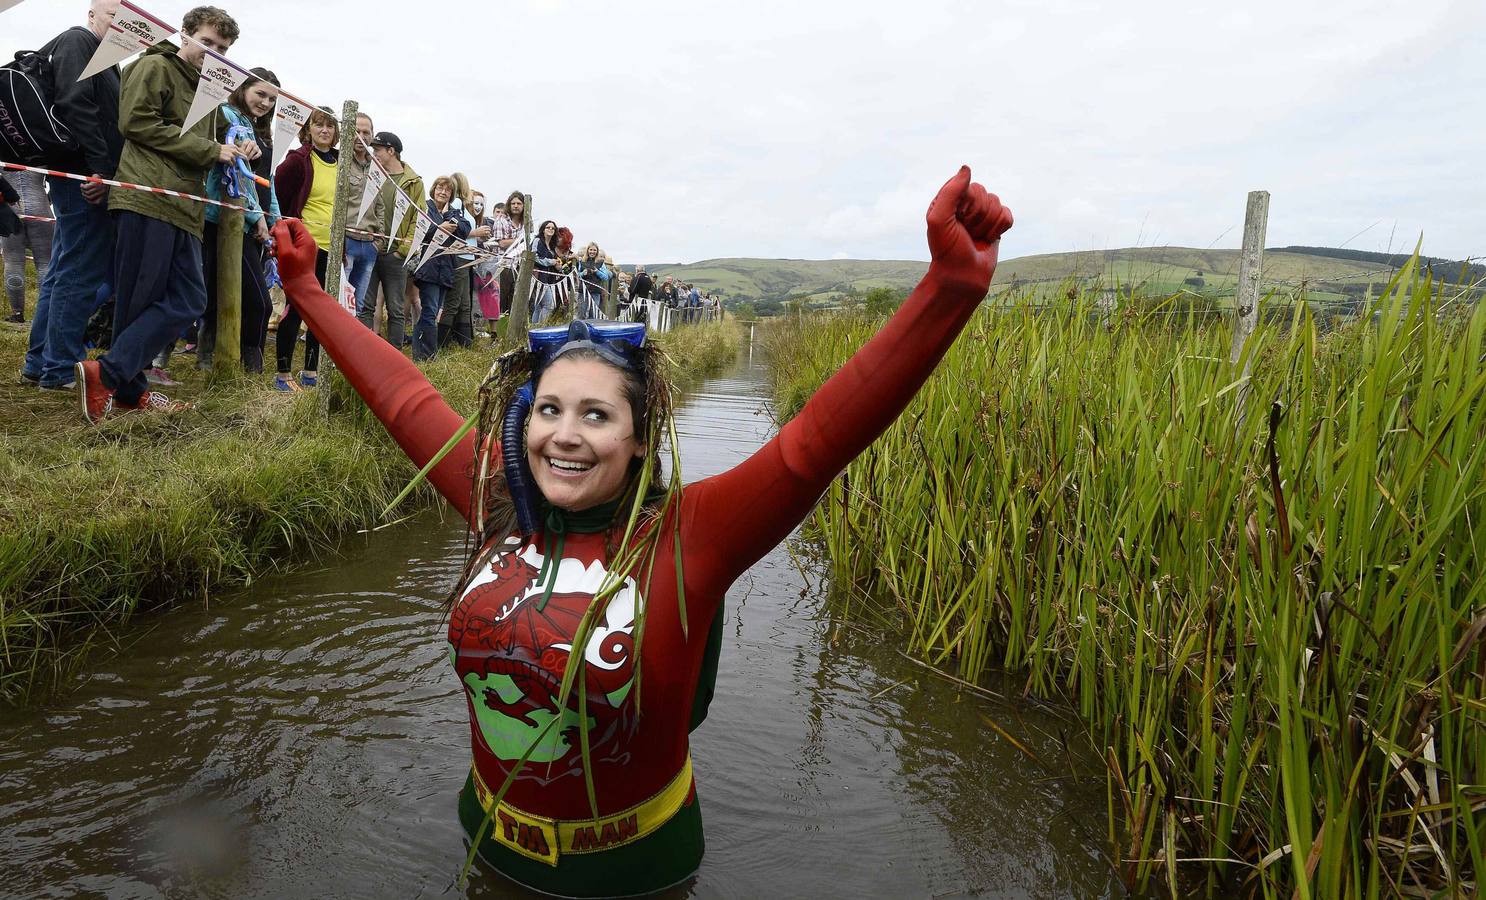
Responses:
[399,394]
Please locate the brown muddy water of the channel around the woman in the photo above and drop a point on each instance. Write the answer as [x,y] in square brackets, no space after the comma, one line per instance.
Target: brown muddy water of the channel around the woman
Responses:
[307,739]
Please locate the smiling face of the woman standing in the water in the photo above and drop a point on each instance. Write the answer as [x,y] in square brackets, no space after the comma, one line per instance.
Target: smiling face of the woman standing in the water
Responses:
[582,439]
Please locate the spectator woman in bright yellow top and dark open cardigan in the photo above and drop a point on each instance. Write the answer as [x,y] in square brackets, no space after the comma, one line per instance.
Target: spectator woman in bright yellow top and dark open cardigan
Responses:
[307,188]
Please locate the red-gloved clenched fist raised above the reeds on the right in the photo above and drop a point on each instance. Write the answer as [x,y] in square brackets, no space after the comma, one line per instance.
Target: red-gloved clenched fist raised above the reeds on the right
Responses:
[965,229]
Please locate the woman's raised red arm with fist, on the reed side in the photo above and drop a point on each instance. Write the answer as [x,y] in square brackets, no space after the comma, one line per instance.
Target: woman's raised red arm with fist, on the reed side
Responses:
[732,521]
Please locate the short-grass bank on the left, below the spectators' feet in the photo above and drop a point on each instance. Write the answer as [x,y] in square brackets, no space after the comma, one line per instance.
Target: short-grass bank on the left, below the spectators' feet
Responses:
[102,524]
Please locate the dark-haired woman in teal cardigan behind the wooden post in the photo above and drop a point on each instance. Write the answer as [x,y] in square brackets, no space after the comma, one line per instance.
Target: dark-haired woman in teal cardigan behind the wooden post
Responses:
[250,108]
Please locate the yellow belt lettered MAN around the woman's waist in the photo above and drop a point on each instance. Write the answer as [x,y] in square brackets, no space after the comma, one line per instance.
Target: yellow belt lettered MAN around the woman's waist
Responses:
[545,840]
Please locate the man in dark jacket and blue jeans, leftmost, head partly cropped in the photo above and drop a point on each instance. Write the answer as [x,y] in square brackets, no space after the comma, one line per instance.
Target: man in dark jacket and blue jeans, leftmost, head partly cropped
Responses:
[82,246]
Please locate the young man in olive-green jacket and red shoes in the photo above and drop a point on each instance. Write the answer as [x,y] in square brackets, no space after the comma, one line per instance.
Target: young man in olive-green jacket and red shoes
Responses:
[157,258]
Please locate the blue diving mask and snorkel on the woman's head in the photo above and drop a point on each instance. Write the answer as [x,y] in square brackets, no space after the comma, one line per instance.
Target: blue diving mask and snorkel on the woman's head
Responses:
[619,344]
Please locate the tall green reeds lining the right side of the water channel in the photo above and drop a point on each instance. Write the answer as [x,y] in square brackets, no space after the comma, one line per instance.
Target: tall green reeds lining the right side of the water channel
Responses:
[1274,625]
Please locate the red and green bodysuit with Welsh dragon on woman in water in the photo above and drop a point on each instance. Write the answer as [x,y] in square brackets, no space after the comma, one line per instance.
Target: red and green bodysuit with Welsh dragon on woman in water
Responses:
[510,650]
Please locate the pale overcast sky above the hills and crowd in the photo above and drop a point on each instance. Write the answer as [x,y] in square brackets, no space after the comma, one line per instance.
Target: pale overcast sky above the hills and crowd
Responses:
[677,131]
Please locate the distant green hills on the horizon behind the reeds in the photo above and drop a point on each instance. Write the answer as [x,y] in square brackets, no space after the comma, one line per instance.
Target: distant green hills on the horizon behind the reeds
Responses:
[1316,273]
